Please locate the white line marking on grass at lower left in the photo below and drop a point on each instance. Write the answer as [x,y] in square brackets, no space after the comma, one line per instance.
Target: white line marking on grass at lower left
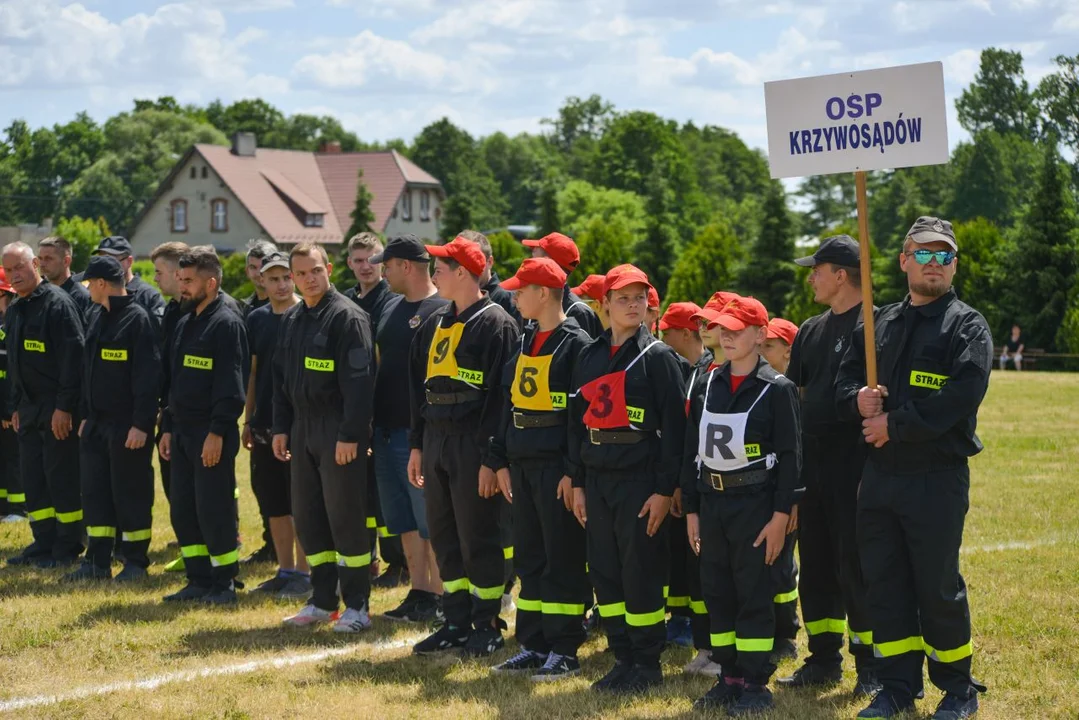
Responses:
[188,676]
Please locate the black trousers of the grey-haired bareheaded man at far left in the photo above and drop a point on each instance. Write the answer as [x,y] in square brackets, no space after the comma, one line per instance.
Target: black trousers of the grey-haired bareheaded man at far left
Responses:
[50,470]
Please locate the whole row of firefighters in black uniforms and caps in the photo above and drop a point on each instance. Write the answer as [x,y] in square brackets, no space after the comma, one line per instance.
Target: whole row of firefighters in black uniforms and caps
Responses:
[522,428]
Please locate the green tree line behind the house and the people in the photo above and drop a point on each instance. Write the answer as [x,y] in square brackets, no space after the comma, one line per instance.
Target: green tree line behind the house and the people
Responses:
[691,205]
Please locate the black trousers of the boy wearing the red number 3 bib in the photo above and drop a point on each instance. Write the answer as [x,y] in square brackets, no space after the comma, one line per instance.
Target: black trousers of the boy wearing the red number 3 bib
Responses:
[629,569]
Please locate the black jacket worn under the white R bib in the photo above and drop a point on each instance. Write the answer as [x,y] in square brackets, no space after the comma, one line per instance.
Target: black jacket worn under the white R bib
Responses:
[773,427]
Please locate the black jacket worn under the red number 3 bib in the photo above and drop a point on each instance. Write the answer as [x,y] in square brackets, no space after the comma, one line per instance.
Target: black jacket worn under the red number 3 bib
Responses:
[657,386]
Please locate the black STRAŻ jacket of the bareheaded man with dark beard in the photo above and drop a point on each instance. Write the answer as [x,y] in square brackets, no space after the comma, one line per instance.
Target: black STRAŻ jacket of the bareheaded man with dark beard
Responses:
[206,368]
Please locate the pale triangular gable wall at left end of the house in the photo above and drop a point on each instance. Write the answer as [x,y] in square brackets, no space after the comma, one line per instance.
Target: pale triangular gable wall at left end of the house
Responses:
[200,194]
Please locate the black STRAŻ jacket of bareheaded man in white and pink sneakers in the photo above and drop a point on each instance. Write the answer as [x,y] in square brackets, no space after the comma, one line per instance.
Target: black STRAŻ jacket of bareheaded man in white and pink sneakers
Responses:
[325,365]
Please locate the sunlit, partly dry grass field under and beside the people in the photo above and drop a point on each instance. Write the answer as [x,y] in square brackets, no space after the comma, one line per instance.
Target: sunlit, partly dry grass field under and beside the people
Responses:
[69,653]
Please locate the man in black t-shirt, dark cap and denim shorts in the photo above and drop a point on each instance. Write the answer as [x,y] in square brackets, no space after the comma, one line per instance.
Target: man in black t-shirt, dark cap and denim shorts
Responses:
[406,267]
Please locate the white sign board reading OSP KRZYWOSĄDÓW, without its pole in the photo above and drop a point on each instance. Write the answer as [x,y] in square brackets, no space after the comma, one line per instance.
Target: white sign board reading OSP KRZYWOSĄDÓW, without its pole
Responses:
[857,121]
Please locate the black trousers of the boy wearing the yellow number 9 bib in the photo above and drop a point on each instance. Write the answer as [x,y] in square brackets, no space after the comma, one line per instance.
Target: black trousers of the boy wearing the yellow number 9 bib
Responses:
[465,529]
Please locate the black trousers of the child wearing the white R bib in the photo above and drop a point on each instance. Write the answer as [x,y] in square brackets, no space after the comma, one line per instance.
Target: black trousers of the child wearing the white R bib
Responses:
[739,586]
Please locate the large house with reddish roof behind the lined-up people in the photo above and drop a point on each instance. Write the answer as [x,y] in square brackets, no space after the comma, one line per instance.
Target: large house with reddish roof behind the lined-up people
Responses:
[227,196]
